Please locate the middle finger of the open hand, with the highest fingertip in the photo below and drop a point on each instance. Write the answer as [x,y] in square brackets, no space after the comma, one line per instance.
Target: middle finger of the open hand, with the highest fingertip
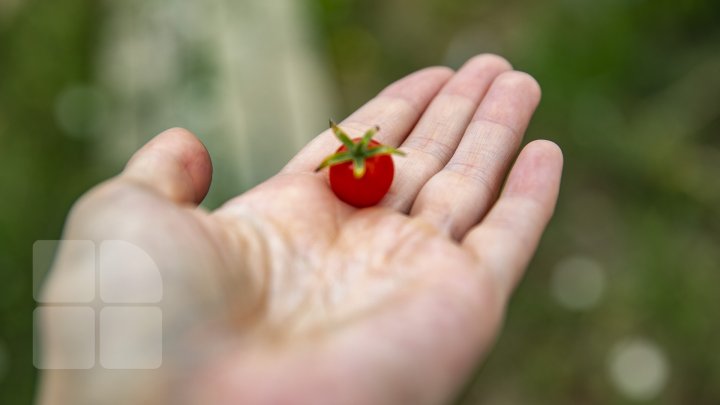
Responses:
[437,134]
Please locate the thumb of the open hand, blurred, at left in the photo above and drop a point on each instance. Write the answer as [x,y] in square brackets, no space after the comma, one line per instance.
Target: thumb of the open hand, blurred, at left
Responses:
[175,164]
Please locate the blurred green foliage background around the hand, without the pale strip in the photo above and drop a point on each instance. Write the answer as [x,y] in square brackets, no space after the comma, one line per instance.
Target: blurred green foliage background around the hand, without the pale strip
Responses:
[621,302]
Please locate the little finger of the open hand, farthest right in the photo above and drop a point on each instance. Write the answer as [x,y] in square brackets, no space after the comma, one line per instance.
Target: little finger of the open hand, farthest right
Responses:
[507,238]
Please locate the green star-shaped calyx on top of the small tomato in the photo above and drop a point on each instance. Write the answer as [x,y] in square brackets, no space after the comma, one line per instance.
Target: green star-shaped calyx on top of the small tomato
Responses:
[357,151]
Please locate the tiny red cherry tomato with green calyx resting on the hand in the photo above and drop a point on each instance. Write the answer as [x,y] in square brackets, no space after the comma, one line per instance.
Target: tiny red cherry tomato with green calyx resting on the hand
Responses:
[361,169]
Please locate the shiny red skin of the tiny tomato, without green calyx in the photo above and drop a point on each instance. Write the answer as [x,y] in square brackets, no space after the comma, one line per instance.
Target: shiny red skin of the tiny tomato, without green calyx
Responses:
[367,190]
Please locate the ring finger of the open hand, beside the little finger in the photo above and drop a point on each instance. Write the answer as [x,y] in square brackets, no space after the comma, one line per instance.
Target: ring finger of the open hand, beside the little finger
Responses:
[458,196]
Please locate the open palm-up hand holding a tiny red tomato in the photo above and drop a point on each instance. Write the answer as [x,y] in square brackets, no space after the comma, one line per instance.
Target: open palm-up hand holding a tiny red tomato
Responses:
[287,295]
